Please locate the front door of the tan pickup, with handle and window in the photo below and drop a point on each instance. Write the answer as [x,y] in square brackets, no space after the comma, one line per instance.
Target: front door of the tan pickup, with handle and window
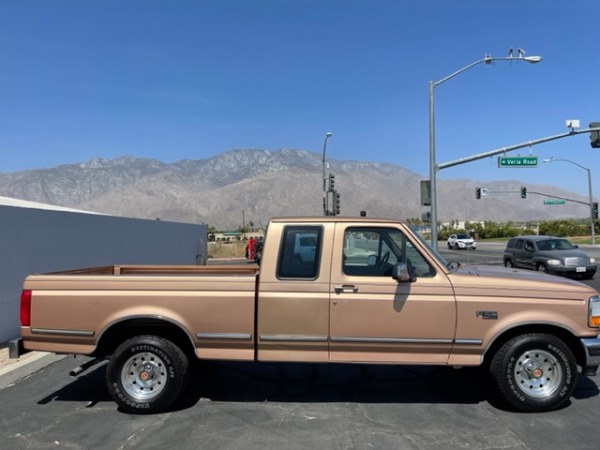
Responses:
[374,318]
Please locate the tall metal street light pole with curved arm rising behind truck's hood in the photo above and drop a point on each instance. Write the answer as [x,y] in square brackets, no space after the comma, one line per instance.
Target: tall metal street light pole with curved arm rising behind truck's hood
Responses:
[433,168]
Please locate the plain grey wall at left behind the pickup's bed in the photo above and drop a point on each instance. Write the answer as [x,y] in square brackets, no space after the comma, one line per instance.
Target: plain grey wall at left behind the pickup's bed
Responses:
[39,240]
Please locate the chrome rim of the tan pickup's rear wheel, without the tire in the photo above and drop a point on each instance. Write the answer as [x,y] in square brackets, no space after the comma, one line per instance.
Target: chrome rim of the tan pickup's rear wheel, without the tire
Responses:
[144,376]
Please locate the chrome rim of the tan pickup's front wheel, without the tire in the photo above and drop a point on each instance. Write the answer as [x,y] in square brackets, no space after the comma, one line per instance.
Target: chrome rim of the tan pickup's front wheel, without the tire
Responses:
[538,373]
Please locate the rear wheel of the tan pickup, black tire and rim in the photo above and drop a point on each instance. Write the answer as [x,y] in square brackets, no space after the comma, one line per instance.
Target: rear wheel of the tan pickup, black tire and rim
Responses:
[146,374]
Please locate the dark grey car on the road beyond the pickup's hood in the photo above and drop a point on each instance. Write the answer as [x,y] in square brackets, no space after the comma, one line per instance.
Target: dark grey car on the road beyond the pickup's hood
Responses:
[548,254]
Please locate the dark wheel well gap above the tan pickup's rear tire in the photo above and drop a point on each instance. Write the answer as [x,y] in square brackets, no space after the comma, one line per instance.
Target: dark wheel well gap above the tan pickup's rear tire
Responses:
[120,332]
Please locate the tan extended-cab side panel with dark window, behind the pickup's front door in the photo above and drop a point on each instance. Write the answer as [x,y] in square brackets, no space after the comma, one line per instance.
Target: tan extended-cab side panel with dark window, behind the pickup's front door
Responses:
[293,293]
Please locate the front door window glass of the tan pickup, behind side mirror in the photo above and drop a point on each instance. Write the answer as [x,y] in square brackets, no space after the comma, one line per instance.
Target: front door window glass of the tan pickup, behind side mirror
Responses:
[374,251]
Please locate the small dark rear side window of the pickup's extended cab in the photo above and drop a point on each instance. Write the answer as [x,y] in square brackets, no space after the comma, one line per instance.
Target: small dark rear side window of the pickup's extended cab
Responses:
[299,252]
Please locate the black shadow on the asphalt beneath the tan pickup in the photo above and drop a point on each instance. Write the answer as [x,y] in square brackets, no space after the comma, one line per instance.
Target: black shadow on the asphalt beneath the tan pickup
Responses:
[313,383]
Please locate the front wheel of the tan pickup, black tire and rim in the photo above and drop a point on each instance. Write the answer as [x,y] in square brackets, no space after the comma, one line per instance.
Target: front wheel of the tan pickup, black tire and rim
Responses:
[534,372]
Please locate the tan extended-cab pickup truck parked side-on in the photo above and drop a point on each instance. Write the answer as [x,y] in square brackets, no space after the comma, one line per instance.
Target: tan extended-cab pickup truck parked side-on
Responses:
[373,292]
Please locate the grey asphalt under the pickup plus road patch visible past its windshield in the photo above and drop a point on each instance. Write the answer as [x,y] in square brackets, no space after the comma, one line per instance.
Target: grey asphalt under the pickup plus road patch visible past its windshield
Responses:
[295,406]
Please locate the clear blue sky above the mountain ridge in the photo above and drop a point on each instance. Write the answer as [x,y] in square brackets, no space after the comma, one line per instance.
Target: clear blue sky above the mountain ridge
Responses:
[173,80]
